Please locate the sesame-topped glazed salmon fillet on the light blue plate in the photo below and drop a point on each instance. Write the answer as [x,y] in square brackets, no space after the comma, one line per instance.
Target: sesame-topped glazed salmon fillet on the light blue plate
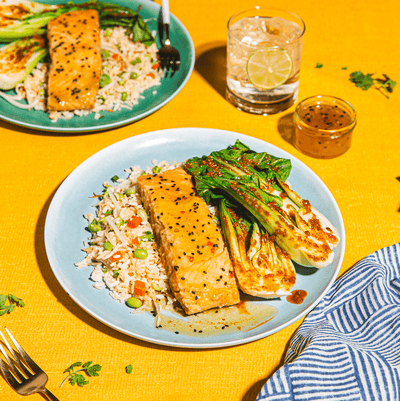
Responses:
[191,245]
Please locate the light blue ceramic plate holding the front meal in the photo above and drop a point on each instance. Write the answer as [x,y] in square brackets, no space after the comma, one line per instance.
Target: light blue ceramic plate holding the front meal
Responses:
[65,231]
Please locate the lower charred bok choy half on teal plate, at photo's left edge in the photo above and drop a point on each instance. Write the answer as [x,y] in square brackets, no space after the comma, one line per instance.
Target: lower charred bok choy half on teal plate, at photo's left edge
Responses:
[18,59]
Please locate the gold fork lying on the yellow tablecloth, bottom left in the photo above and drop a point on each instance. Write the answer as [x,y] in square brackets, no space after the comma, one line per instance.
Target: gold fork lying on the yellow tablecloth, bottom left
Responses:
[22,373]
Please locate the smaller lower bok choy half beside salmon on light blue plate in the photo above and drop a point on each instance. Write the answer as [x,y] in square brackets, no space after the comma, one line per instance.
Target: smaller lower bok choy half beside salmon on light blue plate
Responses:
[262,269]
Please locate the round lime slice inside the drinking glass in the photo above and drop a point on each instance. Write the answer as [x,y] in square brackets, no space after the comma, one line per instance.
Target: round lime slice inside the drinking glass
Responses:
[269,68]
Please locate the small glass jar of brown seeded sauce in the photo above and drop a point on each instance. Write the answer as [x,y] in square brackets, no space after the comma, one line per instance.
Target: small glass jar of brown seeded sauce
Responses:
[324,126]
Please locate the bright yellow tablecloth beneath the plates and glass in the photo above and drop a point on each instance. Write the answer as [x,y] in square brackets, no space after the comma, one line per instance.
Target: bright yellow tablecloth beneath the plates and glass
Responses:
[359,35]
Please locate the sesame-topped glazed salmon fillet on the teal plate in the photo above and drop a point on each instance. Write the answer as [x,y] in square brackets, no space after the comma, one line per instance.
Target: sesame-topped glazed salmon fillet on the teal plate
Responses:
[75,69]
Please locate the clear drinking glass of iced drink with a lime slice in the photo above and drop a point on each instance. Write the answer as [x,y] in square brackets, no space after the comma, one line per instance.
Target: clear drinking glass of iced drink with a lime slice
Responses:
[263,60]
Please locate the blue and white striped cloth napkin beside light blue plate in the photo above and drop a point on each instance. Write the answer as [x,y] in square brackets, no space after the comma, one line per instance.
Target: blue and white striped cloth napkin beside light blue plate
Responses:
[348,347]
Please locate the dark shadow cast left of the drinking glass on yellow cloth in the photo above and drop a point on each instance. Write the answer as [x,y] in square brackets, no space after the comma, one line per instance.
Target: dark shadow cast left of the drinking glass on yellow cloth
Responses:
[211,64]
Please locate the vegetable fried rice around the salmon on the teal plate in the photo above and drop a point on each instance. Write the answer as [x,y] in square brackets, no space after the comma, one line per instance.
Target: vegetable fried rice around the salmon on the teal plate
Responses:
[128,69]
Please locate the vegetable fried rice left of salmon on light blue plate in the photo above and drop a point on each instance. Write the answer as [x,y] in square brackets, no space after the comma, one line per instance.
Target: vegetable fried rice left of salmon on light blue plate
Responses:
[114,240]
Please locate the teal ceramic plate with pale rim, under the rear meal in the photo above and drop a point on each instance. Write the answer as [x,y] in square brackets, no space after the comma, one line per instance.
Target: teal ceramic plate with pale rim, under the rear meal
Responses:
[168,89]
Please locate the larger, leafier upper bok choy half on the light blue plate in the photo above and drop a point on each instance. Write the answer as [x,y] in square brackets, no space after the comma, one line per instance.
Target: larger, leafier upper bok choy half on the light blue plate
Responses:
[257,181]
